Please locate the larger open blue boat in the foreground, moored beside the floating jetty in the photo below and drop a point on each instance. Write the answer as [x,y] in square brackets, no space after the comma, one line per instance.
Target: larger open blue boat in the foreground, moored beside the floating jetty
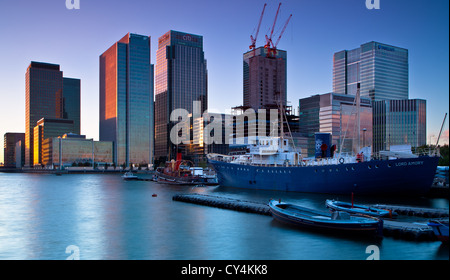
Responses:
[335,221]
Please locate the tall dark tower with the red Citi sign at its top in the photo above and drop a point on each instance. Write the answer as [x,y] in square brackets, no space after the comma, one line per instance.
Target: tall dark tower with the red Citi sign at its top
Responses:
[180,79]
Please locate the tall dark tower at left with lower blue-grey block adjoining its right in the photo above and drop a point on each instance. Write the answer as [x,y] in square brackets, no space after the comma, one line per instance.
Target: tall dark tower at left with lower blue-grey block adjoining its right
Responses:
[44,98]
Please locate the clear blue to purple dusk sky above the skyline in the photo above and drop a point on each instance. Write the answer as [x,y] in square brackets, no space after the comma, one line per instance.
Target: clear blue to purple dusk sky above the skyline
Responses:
[47,31]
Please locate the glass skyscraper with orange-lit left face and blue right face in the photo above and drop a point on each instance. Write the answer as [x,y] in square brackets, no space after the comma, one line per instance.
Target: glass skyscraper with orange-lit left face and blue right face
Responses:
[126,99]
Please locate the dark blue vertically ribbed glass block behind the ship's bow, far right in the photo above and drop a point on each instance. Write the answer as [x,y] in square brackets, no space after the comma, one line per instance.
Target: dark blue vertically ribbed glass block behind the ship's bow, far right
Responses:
[399,122]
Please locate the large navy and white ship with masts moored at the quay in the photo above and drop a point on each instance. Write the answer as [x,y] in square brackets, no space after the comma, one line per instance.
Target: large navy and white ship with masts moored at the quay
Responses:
[272,164]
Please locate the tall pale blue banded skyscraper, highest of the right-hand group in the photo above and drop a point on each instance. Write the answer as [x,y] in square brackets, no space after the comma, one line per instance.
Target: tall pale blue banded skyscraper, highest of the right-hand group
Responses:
[382,71]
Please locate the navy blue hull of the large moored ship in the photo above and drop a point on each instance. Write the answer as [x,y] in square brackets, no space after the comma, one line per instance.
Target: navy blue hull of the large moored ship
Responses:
[413,176]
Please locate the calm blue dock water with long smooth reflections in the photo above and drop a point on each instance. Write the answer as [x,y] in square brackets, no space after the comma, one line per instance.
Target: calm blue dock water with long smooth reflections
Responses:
[108,218]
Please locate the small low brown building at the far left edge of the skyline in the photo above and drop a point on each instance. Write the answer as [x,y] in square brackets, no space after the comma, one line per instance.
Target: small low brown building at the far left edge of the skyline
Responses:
[9,152]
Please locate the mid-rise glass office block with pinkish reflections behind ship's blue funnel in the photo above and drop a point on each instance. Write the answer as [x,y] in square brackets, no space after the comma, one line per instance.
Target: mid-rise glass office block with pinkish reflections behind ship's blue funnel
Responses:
[336,114]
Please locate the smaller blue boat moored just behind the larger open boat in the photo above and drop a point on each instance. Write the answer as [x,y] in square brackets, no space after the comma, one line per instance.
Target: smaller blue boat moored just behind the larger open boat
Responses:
[359,209]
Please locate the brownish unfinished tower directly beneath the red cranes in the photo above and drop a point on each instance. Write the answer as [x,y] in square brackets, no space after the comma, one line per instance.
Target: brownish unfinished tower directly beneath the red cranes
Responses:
[264,78]
